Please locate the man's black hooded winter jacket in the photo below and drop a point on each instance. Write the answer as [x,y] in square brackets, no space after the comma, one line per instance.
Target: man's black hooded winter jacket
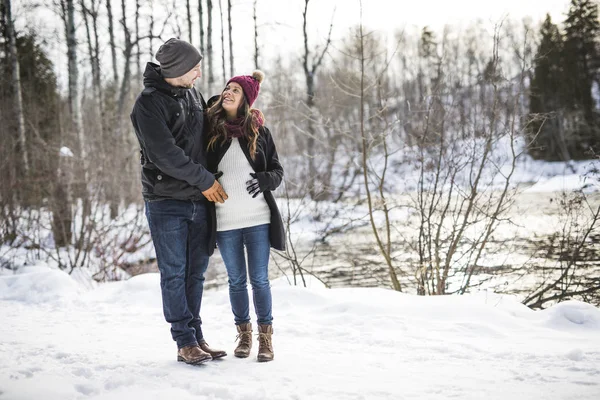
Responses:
[169,124]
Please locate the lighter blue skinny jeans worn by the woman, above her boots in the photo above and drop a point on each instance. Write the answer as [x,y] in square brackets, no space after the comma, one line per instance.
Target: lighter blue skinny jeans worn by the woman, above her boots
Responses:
[231,245]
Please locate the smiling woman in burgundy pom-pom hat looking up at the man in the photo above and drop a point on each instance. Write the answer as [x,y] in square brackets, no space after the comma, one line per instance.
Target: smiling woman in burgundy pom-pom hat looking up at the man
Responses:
[242,150]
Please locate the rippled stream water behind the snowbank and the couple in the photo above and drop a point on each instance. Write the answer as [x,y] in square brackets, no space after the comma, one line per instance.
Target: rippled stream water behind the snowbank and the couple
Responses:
[516,260]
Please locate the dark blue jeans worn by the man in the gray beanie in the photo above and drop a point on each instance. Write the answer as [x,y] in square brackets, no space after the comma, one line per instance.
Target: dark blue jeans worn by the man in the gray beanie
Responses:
[180,234]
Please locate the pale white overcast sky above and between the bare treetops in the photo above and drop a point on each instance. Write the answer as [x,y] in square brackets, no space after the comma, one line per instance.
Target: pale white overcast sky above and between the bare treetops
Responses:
[281,21]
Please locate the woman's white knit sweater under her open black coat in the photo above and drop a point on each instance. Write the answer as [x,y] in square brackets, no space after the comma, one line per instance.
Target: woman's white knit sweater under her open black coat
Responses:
[240,210]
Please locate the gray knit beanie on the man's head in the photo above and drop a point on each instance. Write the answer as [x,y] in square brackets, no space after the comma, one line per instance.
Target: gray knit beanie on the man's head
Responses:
[177,57]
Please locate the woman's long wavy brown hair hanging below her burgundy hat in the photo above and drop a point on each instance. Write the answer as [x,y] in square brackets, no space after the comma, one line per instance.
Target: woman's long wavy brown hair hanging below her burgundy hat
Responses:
[253,119]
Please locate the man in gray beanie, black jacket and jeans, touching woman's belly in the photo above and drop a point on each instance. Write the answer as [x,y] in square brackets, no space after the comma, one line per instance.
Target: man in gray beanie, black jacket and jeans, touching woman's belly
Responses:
[168,119]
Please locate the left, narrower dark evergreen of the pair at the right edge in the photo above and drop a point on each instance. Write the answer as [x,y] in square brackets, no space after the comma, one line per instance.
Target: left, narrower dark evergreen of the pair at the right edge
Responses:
[544,128]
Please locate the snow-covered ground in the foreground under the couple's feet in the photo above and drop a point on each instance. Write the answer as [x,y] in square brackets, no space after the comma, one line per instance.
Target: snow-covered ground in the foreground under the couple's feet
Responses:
[60,340]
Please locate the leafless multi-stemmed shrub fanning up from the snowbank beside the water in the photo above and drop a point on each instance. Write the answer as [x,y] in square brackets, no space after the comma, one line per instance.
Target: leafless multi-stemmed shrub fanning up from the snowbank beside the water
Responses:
[462,191]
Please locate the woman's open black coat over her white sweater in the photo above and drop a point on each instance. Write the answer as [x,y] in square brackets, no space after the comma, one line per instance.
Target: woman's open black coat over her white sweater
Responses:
[269,173]
